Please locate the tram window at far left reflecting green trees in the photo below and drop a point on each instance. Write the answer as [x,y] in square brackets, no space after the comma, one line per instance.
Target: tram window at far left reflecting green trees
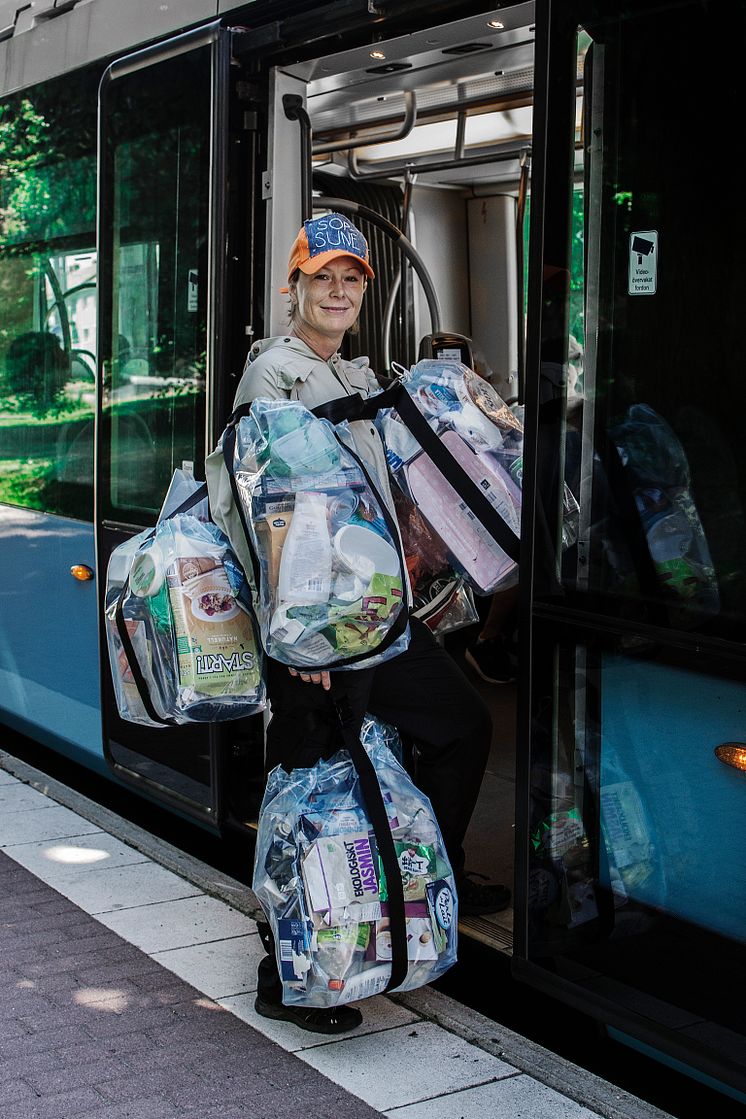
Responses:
[48,297]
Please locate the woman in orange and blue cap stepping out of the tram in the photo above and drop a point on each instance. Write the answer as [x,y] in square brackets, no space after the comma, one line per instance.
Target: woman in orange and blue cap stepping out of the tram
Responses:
[421,692]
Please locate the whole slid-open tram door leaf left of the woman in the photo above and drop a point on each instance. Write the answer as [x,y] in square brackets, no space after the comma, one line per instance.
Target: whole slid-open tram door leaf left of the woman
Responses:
[157,231]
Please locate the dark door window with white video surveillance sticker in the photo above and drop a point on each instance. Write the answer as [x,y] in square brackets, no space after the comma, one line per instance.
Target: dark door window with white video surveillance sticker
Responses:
[653,435]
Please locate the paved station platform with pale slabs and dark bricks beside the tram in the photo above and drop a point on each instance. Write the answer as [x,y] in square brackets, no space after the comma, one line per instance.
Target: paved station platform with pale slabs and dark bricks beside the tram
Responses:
[128,974]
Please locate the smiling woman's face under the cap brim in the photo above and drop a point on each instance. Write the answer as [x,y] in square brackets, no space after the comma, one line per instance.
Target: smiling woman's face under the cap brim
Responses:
[329,302]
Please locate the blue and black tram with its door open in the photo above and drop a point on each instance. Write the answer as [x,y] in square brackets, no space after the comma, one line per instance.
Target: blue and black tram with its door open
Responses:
[551,190]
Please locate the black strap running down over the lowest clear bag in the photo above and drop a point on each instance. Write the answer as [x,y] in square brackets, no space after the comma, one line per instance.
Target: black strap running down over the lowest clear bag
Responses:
[374,800]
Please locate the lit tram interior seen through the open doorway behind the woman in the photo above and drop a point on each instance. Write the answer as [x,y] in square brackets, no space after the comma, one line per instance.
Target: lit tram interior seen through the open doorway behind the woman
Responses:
[435,134]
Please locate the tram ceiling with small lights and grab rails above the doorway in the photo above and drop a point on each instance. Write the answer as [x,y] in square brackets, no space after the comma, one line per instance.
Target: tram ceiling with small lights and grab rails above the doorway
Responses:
[449,104]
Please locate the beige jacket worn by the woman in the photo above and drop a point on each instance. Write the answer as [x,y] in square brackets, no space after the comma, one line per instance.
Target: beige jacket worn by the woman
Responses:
[287,368]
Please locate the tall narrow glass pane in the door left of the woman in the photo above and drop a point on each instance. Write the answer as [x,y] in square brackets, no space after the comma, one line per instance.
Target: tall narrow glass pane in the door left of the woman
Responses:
[155,350]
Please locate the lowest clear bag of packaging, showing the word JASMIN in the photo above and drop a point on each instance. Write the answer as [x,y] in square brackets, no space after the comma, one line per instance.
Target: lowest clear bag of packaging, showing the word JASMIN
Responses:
[318,874]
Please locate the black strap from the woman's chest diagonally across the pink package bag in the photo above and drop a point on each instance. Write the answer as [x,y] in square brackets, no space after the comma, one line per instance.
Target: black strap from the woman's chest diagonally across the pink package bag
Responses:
[396,397]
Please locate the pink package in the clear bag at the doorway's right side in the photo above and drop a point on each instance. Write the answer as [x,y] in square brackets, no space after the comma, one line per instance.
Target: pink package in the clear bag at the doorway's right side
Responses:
[483,561]
